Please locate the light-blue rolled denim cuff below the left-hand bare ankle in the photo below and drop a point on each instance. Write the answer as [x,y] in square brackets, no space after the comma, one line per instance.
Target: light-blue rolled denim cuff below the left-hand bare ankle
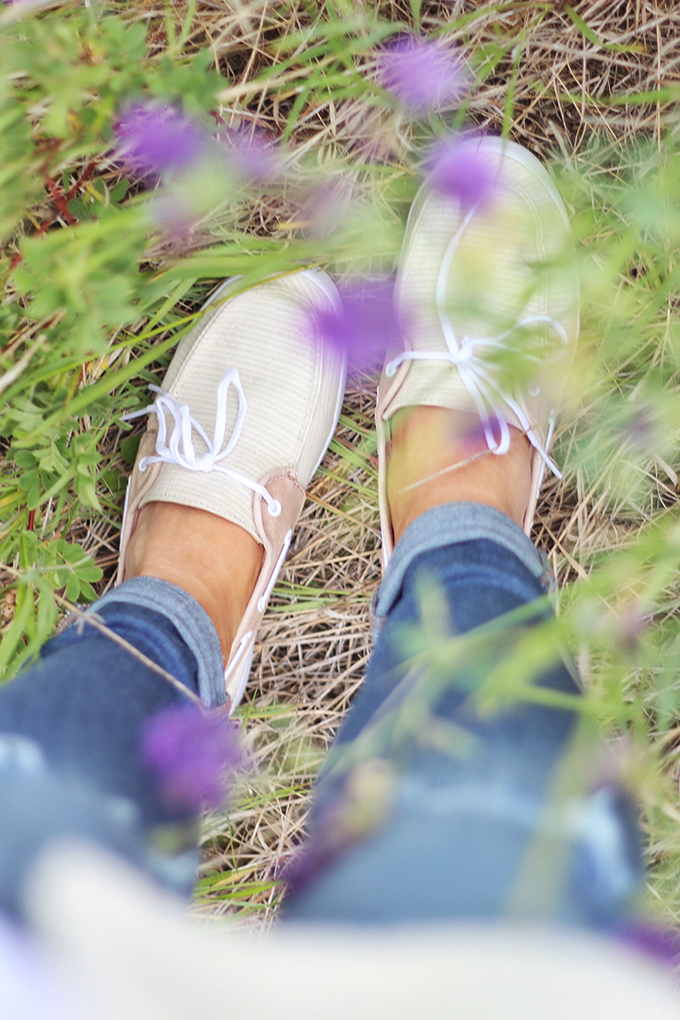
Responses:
[189,619]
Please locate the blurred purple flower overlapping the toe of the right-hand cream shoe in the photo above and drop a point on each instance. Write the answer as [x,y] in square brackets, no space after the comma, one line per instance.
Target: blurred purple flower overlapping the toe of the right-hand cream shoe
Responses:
[458,170]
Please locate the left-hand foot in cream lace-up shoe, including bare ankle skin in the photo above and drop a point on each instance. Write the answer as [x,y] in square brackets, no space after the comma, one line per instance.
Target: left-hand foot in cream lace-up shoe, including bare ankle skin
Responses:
[245,415]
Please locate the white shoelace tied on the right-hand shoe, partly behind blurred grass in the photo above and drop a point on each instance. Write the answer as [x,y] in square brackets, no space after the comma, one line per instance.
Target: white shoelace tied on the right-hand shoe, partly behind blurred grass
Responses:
[479,375]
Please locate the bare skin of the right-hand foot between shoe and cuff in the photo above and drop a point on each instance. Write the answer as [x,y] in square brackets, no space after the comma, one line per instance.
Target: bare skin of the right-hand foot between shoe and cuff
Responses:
[438,456]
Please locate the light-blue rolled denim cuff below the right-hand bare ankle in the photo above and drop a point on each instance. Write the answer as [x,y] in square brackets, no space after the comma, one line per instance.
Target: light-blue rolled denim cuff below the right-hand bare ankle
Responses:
[446,526]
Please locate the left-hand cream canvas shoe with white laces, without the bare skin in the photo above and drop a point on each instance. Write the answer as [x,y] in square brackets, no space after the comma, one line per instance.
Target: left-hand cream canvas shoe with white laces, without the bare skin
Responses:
[246,413]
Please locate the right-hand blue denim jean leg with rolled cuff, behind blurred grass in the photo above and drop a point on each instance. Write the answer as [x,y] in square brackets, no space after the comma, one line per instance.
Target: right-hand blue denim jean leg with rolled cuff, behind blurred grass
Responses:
[404,831]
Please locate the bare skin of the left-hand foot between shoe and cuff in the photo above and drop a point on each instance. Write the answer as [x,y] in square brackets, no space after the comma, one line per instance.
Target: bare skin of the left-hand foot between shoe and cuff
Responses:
[215,560]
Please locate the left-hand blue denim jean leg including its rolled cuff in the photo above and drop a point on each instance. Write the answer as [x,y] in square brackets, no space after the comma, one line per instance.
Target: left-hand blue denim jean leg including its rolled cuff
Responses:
[71,731]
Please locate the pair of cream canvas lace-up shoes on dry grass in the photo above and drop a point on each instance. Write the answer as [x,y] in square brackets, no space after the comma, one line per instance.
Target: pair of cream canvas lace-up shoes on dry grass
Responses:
[250,402]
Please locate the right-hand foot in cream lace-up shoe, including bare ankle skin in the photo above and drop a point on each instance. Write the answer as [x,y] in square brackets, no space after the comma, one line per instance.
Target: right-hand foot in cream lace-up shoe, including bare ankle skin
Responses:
[465,410]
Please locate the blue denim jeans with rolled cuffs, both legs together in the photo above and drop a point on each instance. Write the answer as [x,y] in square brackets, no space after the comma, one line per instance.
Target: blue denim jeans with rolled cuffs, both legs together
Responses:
[436,803]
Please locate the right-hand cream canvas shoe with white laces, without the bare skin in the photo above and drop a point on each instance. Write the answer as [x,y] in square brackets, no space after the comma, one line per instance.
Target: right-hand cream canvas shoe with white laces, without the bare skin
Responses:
[485,293]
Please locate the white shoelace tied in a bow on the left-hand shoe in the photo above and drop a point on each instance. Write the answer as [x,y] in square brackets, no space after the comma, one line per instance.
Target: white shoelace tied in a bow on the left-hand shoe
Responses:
[180,449]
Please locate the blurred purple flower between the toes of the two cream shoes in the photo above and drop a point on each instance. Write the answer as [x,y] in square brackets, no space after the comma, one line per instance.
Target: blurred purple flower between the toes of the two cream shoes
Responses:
[367,326]
